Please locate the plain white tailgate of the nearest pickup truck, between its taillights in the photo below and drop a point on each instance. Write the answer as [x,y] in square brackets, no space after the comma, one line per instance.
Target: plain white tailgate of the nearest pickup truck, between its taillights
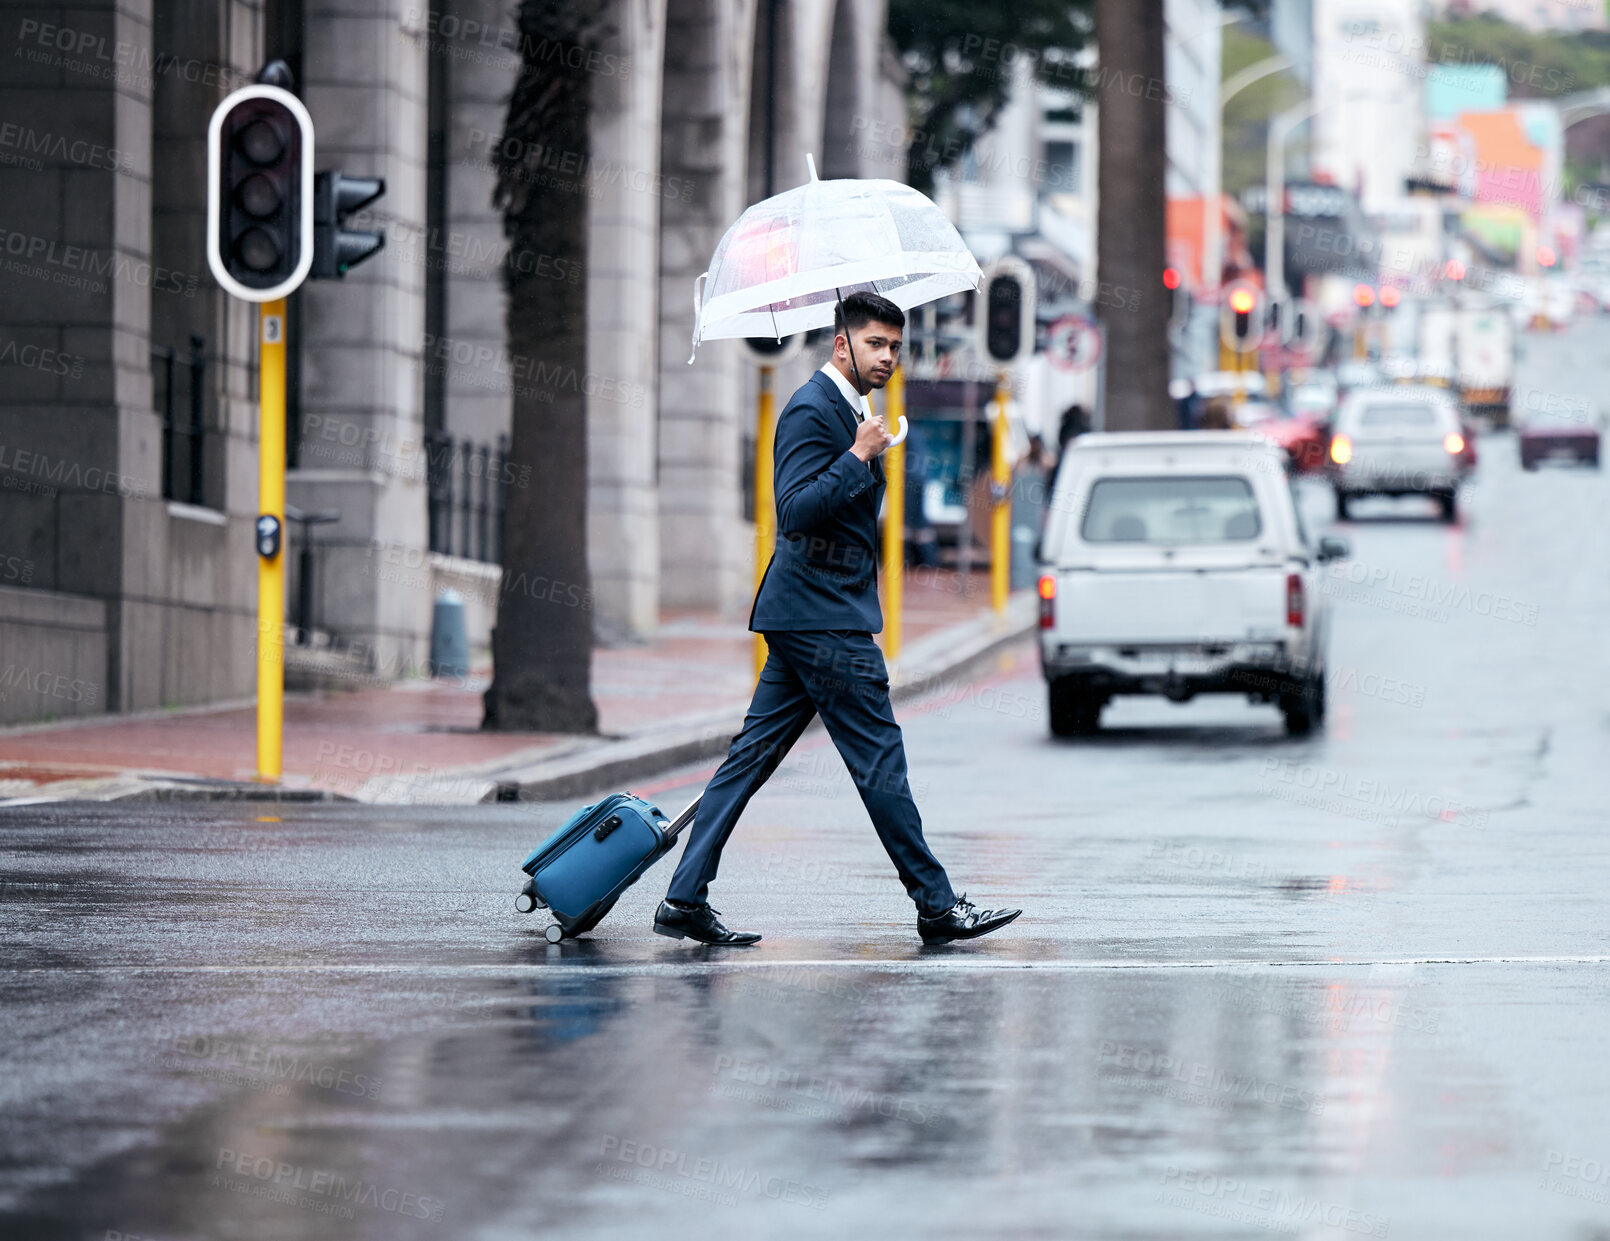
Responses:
[1171,606]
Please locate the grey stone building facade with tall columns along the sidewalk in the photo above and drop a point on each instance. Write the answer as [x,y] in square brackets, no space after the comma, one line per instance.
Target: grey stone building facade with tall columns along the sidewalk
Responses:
[128,575]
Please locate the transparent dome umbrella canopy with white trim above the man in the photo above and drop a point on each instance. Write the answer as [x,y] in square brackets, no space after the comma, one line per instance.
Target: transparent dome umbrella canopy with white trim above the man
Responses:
[786,262]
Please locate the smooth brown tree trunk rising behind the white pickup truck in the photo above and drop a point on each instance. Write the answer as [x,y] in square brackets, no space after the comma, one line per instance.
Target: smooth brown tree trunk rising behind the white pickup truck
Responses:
[1131,220]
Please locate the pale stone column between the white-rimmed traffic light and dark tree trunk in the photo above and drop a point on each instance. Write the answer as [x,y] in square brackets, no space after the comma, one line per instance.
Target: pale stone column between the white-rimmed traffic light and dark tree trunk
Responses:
[363,384]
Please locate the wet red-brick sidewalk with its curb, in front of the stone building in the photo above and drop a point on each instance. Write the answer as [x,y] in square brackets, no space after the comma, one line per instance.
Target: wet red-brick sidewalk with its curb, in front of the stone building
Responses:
[674,701]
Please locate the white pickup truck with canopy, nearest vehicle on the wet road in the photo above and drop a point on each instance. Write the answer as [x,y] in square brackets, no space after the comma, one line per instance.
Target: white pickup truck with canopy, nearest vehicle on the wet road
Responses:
[1178,564]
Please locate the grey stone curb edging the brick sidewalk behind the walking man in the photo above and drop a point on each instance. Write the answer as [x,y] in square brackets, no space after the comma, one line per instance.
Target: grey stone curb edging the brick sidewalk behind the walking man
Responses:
[614,764]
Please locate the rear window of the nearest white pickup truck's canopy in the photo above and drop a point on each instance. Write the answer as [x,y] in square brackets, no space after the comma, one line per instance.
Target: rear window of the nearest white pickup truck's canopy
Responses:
[1202,509]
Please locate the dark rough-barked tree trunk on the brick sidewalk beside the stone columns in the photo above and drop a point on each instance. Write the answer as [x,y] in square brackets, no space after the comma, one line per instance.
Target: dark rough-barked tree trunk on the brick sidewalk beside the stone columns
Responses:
[543,643]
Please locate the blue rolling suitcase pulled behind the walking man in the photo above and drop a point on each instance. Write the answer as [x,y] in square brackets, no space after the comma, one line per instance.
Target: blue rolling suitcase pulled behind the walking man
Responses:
[580,872]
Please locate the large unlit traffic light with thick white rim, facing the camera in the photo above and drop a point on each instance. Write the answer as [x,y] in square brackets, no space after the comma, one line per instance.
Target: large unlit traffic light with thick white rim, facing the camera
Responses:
[260,194]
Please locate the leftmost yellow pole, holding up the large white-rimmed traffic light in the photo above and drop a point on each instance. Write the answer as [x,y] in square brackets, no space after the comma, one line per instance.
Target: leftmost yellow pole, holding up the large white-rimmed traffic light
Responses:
[271,569]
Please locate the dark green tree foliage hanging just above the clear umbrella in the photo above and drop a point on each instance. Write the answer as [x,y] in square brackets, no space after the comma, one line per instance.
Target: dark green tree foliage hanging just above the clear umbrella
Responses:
[962,57]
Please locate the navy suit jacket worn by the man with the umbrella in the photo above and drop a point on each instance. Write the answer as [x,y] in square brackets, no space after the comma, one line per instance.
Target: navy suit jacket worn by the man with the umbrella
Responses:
[824,574]
